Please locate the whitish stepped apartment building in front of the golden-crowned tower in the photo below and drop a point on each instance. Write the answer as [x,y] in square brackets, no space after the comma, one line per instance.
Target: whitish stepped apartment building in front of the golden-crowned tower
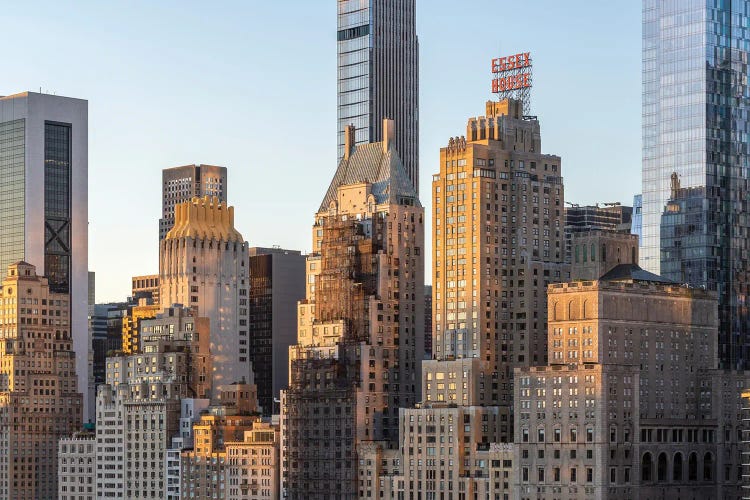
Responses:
[139,408]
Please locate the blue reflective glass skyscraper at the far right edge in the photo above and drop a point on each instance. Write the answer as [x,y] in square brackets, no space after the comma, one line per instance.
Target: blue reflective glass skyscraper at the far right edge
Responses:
[695,126]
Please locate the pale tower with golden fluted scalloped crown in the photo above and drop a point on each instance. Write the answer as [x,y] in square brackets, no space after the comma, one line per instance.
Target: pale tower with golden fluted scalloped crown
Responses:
[203,264]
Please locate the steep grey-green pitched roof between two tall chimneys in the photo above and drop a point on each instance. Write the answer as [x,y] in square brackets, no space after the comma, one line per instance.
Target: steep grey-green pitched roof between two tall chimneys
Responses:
[384,170]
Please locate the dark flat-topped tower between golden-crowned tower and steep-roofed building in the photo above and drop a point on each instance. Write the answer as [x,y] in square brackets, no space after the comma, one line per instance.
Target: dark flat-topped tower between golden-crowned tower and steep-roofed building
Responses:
[277,283]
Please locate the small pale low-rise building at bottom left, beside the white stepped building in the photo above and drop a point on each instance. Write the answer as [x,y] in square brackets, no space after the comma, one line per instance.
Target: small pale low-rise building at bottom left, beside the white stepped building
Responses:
[77,467]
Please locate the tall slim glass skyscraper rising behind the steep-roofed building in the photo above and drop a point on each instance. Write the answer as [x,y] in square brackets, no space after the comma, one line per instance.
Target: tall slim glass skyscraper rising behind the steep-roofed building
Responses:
[378,74]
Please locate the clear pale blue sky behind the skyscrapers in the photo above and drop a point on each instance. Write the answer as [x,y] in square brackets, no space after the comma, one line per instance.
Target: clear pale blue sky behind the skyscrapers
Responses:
[252,86]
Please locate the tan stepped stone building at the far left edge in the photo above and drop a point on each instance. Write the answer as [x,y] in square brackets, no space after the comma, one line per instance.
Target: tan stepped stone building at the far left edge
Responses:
[39,398]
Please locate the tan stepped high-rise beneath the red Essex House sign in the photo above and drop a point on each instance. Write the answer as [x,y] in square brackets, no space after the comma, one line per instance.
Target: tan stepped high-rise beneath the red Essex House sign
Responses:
[498,242]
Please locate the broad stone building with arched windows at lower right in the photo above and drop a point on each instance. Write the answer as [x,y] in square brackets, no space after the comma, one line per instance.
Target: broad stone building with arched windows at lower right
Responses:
[631,404]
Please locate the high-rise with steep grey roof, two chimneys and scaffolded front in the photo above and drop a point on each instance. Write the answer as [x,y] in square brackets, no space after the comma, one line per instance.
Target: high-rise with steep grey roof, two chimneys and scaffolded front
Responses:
[360,334]
